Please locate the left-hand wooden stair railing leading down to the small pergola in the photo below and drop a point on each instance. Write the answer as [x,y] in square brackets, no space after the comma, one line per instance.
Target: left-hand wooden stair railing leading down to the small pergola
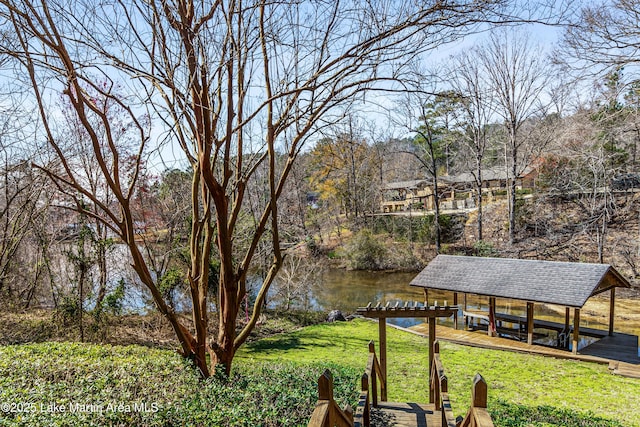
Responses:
[372,376]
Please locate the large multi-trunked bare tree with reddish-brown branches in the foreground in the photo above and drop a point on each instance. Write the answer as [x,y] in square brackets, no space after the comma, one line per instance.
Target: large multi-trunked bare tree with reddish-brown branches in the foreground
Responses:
[232,83]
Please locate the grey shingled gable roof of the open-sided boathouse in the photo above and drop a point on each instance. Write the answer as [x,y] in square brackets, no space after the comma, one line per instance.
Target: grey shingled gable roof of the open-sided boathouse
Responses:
[564,283]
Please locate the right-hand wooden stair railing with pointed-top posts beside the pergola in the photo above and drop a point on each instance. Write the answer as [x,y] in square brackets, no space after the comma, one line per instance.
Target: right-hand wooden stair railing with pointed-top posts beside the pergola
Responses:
[477,416]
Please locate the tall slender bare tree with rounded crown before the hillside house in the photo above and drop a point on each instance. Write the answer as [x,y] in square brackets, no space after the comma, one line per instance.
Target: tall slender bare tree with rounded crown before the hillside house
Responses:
[518,75]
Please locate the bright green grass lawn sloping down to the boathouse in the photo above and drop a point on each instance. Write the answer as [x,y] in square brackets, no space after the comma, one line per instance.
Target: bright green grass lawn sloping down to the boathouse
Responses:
[524,390]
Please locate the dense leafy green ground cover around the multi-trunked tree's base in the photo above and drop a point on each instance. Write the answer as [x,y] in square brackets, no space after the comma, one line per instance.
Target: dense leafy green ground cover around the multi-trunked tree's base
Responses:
[73,384]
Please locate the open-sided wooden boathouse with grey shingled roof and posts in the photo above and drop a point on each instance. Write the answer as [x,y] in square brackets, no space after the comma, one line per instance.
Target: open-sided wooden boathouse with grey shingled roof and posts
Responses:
[567,284]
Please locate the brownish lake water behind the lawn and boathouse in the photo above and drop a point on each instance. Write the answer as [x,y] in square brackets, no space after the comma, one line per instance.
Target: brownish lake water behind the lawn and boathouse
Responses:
[339,289]
